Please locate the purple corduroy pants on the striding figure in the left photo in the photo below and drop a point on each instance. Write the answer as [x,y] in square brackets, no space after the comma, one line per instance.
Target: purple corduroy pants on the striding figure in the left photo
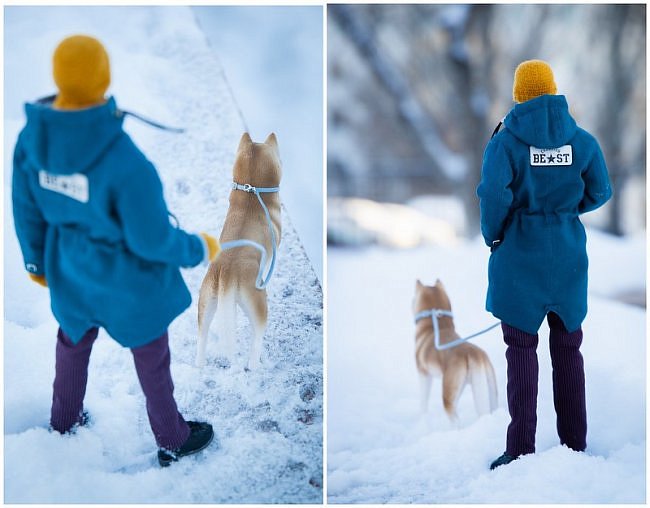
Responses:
[152,366]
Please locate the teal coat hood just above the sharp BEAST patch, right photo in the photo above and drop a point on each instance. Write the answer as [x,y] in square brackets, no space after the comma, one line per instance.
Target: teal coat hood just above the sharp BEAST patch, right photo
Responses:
[543,122]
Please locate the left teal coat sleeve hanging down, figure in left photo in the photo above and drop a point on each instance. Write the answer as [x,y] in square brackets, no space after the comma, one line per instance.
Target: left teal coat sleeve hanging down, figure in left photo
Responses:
[29,222]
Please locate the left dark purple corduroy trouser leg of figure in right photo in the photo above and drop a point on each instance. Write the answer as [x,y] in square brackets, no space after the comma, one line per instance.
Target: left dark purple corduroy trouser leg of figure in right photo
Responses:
[522,390]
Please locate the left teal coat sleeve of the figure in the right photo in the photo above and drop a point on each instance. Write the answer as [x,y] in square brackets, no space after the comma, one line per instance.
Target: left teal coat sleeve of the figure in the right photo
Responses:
[494,193]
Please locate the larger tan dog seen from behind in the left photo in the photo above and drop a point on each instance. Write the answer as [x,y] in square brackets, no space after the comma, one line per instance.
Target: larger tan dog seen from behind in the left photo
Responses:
[230,280]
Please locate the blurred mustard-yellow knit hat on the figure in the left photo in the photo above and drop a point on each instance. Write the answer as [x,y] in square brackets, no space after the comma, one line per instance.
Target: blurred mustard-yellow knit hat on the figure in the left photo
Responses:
[81,72]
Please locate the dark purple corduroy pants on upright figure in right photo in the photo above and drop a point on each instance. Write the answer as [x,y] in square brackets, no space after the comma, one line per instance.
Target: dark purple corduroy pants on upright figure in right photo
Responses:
[568,386]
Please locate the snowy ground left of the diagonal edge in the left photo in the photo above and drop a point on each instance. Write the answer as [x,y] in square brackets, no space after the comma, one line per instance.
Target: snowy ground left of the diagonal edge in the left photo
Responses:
[268,423]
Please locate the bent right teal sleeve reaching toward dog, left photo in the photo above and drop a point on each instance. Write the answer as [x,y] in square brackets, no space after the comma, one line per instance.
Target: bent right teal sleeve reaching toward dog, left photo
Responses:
[144,217]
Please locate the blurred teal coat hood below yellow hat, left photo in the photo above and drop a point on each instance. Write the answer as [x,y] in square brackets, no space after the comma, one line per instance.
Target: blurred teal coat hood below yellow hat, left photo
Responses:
[66,142]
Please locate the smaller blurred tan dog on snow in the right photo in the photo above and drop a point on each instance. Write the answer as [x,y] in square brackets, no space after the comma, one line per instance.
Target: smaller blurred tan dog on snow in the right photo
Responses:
[458,366]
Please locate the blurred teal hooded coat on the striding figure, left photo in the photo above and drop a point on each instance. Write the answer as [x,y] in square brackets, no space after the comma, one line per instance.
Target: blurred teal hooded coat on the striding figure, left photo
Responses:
[90,216]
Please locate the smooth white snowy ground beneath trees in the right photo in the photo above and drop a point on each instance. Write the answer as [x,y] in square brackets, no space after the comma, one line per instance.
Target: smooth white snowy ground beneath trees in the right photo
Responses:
[381,449]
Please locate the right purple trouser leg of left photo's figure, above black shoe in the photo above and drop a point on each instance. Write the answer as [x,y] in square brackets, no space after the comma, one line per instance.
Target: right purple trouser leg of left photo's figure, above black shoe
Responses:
[152,365]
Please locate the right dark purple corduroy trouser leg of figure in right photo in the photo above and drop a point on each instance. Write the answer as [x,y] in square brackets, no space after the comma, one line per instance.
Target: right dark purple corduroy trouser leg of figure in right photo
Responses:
[568,384]
